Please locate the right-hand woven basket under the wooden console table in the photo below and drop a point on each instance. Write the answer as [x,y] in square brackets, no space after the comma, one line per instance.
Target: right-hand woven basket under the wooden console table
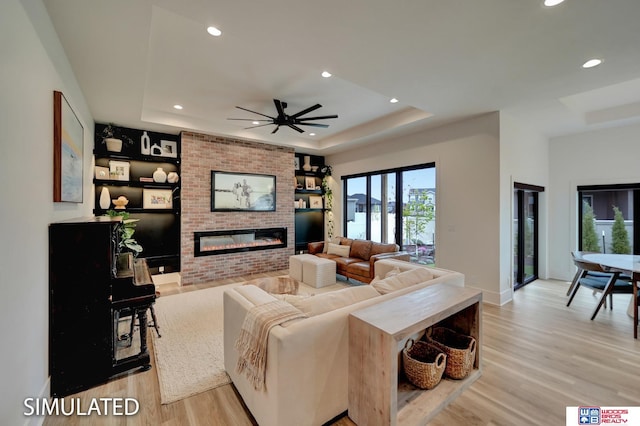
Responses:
[460,350]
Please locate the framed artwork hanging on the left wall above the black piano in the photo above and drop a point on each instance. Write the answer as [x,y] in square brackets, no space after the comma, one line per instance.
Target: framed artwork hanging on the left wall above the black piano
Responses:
[68,152]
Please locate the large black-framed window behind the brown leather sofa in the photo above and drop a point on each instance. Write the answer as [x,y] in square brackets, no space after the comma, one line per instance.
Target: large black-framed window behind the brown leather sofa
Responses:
[376,210]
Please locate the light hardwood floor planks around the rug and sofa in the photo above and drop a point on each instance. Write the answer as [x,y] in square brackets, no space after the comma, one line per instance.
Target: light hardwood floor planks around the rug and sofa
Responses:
[539,357]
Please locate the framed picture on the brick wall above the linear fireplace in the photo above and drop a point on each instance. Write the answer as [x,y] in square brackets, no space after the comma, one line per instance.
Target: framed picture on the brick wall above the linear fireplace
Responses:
[242,192]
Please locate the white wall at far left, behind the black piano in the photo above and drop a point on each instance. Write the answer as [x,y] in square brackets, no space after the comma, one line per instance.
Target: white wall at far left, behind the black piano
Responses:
[33,66]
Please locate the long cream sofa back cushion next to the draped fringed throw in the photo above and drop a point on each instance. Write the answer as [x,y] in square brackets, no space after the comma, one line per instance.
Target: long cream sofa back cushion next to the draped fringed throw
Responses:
[326,302]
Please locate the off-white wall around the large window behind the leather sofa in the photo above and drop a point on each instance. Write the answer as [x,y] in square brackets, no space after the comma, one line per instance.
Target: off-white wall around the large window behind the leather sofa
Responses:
[467,158]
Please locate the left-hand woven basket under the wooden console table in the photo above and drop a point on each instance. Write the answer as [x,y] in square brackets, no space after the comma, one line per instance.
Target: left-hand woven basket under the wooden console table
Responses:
[423,363]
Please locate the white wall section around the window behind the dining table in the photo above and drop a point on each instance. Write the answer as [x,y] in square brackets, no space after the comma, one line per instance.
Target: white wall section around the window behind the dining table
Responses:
[607,156]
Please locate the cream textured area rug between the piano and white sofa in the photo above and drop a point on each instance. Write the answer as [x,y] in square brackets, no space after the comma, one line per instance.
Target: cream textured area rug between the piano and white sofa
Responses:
[189,355]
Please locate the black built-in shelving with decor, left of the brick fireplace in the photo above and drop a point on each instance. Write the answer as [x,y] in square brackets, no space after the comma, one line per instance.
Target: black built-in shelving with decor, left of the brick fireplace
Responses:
[129,174]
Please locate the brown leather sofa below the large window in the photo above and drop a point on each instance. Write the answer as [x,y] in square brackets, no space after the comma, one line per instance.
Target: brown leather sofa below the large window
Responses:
[359,264]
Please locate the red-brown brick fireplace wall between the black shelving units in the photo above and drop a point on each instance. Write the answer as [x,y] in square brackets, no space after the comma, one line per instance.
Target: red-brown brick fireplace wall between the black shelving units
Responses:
[203,153]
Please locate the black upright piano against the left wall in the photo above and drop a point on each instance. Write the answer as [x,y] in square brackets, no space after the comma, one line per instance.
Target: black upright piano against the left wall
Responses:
[85,272]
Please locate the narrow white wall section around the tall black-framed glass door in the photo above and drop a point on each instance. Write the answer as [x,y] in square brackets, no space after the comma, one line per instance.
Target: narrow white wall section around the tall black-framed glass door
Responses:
[524,158]
